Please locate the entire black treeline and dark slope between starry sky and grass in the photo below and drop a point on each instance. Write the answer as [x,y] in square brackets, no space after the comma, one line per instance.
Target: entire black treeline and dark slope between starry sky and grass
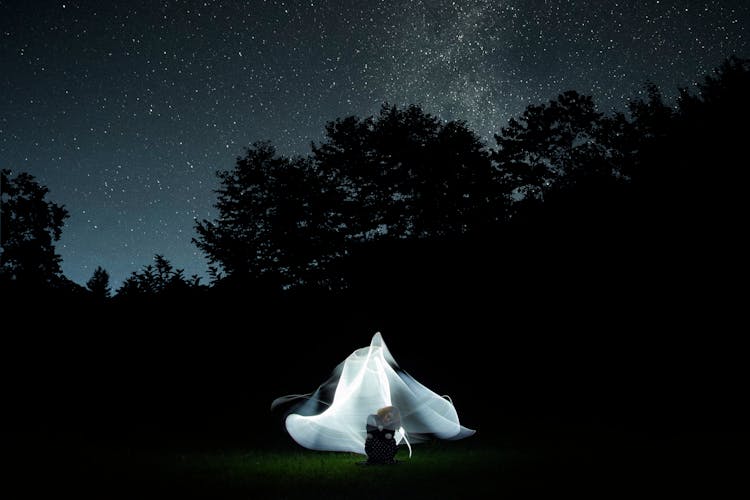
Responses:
[584,268]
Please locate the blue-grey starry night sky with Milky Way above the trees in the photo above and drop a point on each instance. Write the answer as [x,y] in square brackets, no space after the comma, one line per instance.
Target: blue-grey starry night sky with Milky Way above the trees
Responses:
[126,109]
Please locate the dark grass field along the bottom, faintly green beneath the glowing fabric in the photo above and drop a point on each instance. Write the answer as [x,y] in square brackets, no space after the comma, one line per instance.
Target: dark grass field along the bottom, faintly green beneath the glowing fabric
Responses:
[606,465]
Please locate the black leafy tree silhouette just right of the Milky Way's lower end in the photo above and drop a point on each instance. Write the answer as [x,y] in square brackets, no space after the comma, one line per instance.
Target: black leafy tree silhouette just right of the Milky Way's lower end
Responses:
[566,166]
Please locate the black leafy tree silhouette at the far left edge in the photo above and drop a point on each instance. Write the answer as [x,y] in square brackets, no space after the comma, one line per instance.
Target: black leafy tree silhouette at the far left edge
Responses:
[29,226]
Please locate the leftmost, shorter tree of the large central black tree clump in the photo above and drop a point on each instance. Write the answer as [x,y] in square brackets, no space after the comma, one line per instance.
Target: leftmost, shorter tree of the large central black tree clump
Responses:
[277,221]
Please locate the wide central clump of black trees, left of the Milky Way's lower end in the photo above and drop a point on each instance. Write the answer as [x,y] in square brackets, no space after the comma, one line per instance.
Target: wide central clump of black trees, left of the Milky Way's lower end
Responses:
[402,175]
